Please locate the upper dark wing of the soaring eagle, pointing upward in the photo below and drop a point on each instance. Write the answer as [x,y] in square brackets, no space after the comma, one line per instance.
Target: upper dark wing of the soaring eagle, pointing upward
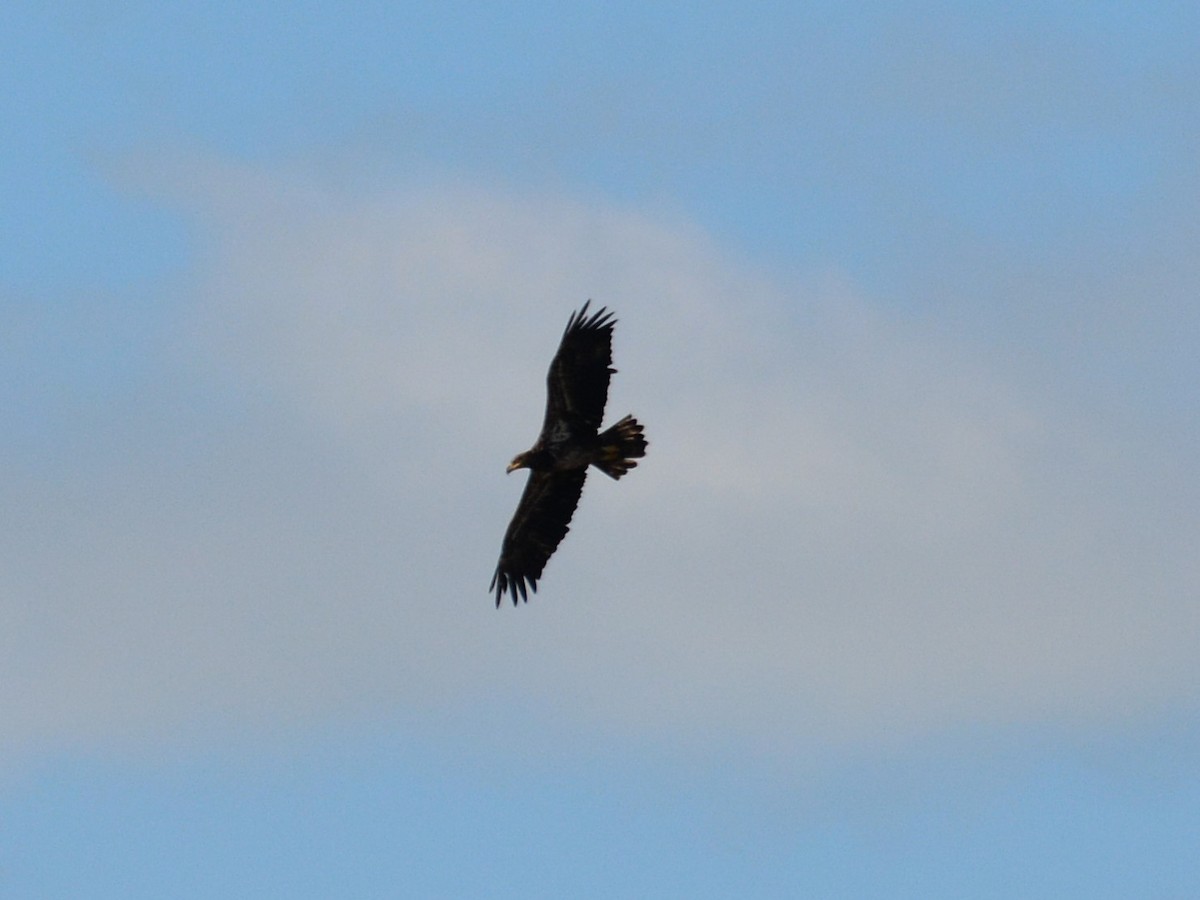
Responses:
[578,382]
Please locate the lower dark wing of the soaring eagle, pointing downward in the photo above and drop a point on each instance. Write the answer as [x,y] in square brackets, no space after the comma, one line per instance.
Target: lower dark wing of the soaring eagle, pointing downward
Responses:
[542,521]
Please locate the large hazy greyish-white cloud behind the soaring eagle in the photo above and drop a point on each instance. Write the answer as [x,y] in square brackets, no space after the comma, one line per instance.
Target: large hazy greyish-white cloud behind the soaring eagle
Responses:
[849,526]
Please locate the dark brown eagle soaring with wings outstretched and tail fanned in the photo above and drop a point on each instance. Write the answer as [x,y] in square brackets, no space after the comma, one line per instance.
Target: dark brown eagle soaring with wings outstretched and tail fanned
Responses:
[571,441]
